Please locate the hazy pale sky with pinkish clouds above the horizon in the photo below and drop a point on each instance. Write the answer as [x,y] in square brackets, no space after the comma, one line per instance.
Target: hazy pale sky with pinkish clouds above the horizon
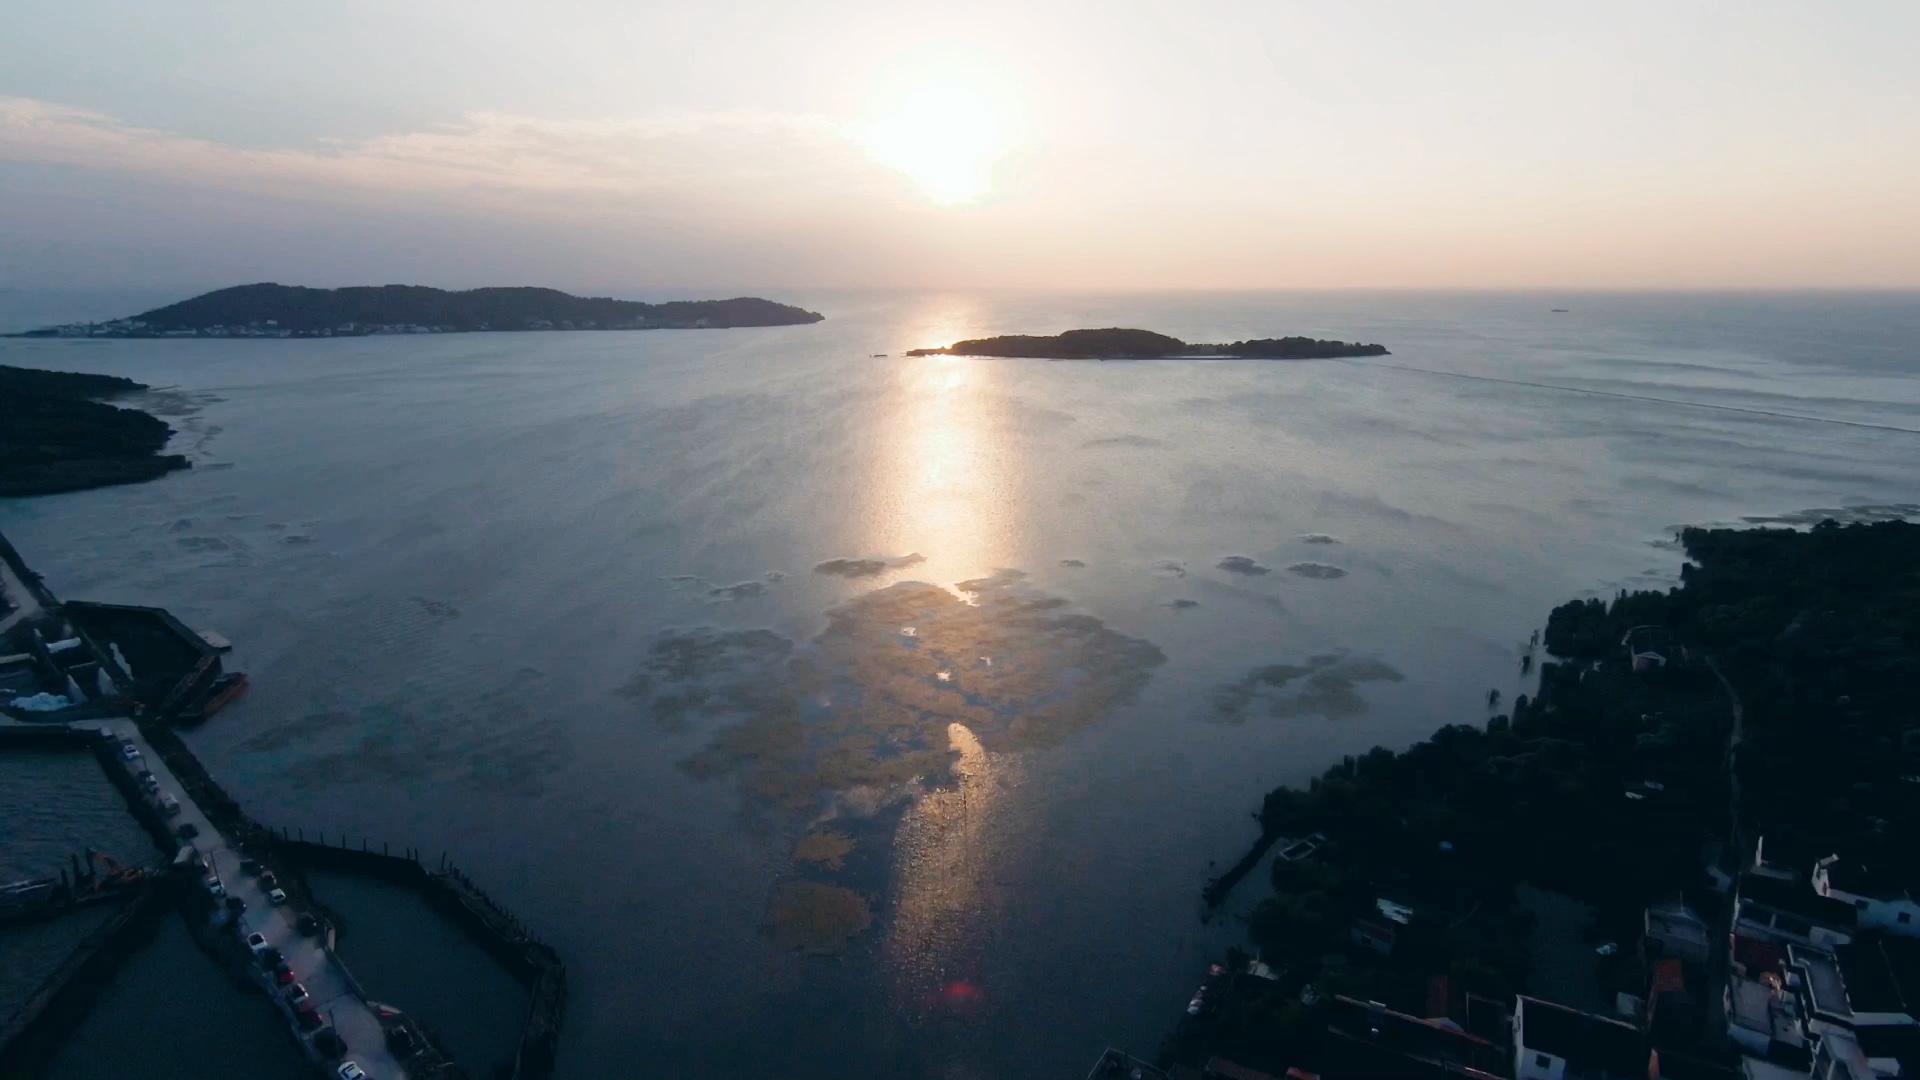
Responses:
[1090,145]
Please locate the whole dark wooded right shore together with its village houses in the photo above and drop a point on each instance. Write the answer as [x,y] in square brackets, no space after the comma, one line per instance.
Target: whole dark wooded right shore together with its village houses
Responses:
[1737,752]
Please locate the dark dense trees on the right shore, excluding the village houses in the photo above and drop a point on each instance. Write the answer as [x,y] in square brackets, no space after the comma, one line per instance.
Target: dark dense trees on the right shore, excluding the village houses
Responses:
[1612,785]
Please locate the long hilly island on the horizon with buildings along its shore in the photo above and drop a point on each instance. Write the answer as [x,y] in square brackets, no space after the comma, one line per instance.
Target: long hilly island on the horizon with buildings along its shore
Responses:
[299,312]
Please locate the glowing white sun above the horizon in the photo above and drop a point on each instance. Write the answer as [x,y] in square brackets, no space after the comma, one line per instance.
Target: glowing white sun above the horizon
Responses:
[946,139]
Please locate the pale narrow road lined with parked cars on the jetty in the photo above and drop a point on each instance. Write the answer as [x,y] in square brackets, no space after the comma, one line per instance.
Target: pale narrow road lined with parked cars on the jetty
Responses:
[320,971]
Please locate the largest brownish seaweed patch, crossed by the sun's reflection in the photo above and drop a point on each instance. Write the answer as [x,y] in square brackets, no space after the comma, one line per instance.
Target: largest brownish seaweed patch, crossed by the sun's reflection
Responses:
[869,706]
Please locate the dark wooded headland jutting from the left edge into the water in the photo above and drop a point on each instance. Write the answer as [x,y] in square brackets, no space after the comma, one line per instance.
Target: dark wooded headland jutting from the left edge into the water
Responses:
[57,435]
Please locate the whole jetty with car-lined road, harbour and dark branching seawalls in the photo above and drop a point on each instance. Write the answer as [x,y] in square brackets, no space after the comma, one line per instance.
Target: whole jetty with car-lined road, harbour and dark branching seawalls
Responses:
[114,681]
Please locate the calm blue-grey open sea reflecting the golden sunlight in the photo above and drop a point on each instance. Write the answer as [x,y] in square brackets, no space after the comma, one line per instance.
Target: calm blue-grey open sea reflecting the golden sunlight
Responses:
[631,626]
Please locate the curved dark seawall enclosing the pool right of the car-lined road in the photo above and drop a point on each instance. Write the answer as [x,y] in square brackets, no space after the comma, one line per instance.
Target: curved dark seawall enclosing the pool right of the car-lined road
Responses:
[492,927]
